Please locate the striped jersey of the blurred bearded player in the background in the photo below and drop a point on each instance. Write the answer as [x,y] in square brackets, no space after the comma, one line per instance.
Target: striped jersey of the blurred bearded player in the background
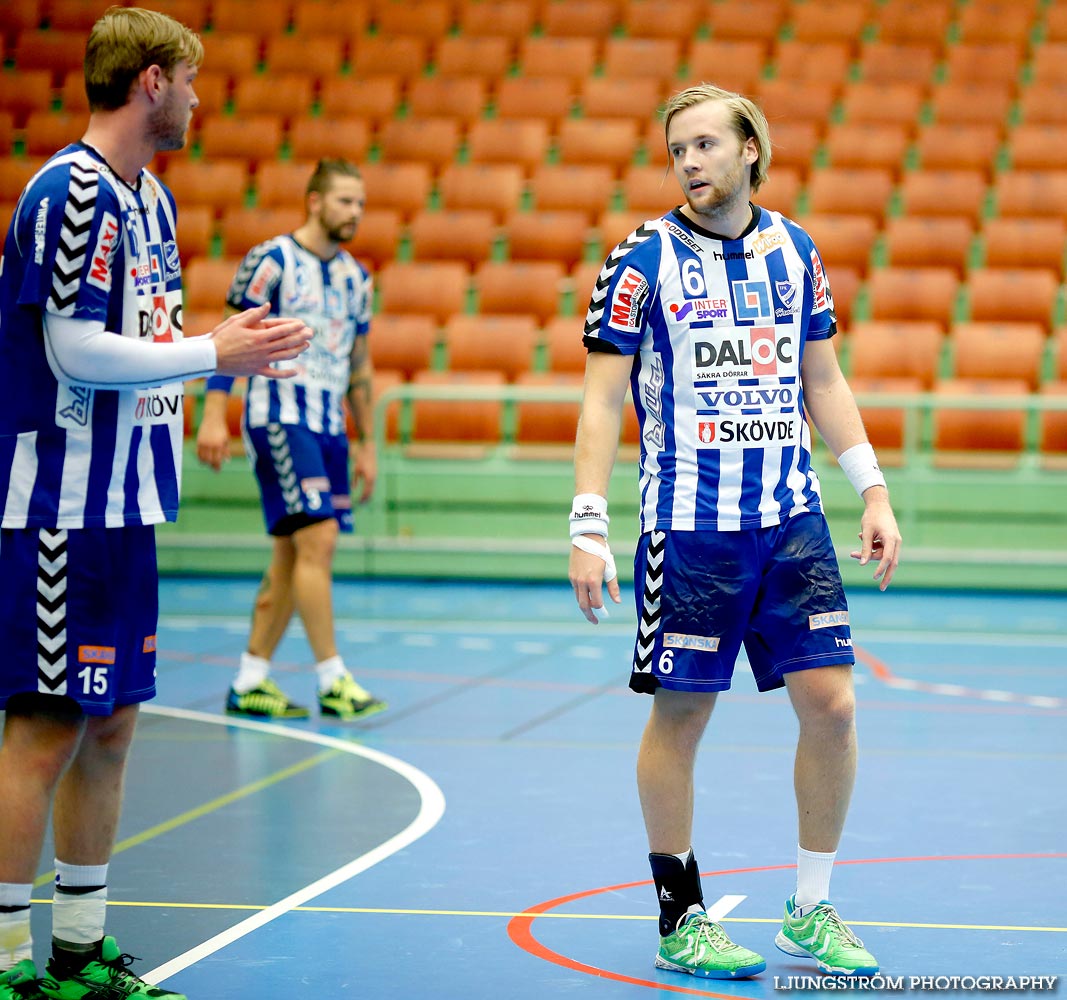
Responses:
[335,299]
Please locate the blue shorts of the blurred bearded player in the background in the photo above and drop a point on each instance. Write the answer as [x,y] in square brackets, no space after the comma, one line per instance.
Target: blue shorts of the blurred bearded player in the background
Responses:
[302,475]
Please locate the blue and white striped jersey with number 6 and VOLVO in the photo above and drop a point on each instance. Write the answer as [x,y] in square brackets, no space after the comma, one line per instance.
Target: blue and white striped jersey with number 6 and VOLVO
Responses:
[718,329]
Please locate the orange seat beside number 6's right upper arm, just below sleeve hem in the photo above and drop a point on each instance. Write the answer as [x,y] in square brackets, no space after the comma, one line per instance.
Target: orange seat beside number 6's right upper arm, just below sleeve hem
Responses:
[904,350]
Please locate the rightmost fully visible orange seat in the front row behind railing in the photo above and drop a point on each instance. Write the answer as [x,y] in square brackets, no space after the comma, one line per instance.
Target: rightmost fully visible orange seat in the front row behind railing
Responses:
[979,431]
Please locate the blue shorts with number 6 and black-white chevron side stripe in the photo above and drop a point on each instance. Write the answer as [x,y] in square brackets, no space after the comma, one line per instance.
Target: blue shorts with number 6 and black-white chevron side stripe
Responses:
[702,595]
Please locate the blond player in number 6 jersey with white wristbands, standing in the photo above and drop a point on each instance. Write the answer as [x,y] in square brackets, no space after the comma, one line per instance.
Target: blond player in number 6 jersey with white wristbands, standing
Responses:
[719,318]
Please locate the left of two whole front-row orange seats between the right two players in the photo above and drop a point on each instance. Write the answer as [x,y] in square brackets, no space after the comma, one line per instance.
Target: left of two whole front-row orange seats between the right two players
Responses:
[463,420]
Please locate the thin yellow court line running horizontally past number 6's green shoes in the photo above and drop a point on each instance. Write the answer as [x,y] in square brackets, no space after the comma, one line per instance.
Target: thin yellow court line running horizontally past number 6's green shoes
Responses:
[508,915]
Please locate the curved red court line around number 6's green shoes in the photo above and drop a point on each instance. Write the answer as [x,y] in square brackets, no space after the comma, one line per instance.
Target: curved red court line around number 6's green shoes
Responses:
[521,928]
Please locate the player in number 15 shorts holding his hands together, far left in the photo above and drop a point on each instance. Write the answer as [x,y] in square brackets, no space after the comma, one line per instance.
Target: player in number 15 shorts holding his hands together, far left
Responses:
[92,361]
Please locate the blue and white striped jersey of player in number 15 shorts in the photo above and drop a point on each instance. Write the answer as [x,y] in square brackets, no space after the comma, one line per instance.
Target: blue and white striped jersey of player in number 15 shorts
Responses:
[84,244]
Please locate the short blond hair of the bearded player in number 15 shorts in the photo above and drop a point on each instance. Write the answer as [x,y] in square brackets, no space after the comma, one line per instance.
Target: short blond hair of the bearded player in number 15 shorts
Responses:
[126,41]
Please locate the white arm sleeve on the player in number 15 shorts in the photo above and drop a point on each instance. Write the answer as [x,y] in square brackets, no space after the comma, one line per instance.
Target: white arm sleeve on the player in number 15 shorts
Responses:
[83,353]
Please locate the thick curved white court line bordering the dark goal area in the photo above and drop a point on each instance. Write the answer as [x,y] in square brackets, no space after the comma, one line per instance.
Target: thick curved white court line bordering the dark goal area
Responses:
[432,809]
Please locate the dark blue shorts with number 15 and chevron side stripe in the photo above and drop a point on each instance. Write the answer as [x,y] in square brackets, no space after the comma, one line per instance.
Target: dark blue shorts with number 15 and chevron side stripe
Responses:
[79,610]
